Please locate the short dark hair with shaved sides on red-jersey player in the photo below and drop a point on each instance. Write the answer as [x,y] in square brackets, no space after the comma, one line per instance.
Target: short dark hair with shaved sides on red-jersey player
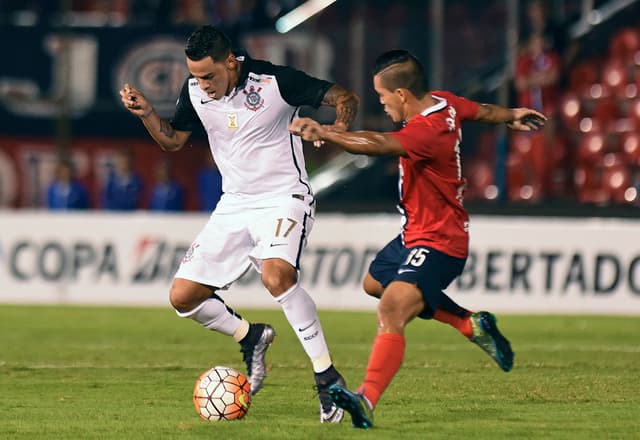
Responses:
[399,69]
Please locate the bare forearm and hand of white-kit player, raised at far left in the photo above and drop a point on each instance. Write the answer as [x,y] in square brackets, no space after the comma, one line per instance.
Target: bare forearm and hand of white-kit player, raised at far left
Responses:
[160,130]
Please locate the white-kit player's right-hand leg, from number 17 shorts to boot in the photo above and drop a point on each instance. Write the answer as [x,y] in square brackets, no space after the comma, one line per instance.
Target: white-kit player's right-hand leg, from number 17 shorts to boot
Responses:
[282,237]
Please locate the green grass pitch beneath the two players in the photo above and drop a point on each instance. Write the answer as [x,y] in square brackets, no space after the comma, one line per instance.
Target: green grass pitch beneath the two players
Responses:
[128,373]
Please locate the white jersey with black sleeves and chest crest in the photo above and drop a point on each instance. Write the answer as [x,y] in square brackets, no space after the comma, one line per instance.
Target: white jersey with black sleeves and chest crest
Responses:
[248,130]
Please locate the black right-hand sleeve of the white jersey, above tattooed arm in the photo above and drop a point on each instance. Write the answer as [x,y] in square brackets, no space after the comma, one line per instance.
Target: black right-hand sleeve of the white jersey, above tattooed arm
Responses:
[298,88]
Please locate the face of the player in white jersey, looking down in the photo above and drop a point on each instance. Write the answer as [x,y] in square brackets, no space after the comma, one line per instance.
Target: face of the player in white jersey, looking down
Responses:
[217,79]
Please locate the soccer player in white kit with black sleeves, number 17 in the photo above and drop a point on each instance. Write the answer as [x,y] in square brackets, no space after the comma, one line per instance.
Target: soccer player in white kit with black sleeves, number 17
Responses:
[267,210]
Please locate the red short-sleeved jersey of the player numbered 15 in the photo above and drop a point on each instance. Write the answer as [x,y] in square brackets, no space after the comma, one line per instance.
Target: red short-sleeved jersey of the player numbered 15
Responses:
[431,182]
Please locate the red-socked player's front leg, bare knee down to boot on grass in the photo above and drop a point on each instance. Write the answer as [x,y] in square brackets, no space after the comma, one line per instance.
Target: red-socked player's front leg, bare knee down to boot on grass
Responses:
[401,302]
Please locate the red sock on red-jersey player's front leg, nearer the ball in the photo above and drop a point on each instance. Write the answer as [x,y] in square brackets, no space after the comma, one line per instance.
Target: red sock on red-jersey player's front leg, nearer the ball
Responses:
[384,362]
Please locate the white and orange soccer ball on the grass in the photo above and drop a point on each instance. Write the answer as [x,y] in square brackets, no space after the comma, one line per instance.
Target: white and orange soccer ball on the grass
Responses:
[222,393]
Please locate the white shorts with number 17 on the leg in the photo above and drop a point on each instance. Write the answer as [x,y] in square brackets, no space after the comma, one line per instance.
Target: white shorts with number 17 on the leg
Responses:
[239,235]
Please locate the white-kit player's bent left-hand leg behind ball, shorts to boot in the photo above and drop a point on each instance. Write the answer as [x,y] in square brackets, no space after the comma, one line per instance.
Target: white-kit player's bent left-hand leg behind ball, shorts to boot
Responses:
[218,257]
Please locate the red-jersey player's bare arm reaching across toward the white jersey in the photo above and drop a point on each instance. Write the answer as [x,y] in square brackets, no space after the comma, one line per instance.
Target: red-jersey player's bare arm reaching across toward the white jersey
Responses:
[370,143]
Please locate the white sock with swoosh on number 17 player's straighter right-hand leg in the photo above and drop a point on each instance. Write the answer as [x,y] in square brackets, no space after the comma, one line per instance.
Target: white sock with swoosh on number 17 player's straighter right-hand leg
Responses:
[301,313]
